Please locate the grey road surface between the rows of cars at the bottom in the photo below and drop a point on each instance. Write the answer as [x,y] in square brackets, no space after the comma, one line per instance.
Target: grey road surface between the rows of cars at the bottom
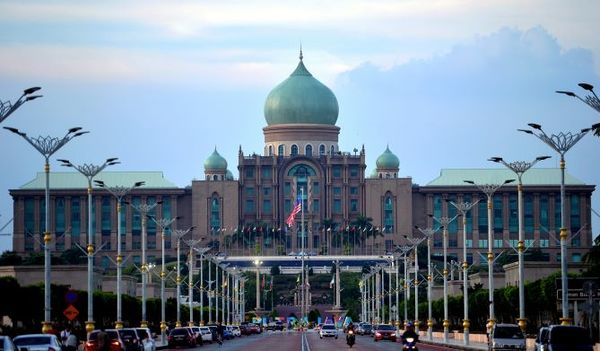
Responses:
[292,341]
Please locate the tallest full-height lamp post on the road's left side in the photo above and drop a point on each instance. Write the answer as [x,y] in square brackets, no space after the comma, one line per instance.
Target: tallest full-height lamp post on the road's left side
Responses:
[47,146]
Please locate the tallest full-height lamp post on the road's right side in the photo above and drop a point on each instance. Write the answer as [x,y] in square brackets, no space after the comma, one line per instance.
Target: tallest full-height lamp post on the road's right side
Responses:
[561,143]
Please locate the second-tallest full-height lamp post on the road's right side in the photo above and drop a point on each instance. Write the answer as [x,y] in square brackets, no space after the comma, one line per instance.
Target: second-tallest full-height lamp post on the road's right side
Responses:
[519,168]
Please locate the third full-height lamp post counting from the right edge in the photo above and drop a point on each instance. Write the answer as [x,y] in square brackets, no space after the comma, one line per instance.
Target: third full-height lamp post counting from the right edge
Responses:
[489,190]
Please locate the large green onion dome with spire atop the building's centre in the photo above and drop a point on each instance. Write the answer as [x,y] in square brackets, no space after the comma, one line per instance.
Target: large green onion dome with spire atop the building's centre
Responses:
[301,99]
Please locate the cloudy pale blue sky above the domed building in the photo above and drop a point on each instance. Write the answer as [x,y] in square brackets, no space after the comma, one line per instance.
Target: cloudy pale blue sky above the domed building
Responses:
[160,84]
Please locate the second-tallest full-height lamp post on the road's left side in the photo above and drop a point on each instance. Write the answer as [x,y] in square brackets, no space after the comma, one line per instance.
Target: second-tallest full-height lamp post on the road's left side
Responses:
[90,171]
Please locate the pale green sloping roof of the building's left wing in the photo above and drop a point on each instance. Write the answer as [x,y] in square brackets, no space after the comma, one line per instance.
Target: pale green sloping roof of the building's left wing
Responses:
[75,180]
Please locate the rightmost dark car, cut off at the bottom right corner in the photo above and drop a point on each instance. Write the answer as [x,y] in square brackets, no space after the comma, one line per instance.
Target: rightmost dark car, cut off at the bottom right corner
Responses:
[568,337]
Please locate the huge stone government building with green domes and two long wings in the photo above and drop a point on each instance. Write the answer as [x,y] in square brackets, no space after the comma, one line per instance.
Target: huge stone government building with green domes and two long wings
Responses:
[344,210]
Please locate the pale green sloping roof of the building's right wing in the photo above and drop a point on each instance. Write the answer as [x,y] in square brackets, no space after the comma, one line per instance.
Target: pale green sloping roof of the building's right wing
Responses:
[534,176]
